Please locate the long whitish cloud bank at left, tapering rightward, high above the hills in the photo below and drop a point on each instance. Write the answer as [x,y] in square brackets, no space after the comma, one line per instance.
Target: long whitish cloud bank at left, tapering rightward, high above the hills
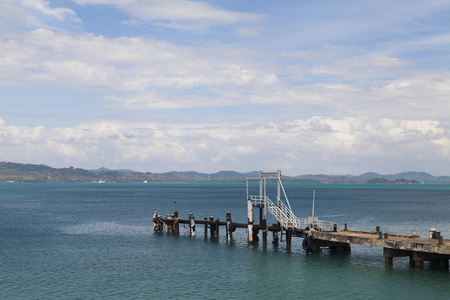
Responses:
[87,61]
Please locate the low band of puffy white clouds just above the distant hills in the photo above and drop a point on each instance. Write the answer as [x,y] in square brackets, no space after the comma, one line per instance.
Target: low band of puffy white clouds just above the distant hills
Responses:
[312,145]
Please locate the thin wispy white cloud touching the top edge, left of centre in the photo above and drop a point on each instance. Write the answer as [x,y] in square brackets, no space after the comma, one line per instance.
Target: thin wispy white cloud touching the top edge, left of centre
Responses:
[177,14]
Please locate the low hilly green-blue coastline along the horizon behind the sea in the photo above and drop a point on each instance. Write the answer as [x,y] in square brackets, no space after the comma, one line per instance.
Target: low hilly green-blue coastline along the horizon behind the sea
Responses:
[17,172]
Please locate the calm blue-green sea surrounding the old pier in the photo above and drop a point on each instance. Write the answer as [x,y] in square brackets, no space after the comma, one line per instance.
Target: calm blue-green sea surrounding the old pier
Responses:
[96,241]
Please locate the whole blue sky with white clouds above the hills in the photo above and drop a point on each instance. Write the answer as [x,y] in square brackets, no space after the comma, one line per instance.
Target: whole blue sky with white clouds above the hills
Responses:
[306,87]
